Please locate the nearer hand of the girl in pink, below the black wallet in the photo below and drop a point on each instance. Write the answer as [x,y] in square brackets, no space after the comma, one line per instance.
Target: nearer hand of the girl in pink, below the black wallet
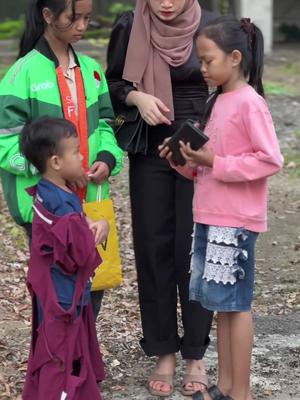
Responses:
[203,156]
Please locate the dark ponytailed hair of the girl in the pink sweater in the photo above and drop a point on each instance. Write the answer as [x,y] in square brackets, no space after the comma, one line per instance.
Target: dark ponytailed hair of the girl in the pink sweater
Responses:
[231,34]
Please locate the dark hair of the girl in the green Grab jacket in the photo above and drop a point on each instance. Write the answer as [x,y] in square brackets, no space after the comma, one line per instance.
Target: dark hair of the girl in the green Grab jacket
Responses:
[35,23]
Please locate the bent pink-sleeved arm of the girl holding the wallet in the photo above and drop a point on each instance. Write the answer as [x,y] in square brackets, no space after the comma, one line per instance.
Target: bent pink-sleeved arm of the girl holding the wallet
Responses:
[265,159]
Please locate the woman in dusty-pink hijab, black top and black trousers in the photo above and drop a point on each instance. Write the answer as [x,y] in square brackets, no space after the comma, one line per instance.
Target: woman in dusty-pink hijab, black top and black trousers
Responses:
[152,65]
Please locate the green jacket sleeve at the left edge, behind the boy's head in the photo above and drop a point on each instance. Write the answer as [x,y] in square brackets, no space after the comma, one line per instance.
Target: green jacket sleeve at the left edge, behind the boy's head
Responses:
[15,112]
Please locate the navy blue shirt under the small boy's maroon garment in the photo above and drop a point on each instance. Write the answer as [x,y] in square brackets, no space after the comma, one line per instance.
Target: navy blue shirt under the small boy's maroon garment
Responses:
[61,202]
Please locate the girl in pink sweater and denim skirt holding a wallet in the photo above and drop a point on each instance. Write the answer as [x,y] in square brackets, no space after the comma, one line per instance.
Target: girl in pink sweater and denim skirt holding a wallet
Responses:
[230,201]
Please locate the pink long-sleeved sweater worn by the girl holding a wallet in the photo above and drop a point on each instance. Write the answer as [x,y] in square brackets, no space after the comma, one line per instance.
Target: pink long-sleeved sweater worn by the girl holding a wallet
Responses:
[242,135]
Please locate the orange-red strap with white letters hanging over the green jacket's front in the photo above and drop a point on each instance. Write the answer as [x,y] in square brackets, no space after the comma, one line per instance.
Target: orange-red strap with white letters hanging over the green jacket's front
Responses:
[79,120]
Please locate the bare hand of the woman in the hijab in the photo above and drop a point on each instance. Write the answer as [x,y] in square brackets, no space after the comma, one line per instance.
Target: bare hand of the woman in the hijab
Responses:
[150,107]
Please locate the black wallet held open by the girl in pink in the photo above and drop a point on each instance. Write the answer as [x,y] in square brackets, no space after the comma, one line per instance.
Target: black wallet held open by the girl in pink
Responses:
[187,133]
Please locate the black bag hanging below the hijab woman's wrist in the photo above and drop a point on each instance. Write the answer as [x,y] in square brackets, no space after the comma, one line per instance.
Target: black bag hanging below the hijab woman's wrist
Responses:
[131,132]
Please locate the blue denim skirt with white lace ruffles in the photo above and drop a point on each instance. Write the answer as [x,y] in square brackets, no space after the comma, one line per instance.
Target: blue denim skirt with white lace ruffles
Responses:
[222,268]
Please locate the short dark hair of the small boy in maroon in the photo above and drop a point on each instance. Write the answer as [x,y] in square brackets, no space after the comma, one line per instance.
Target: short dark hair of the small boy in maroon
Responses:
[41,139]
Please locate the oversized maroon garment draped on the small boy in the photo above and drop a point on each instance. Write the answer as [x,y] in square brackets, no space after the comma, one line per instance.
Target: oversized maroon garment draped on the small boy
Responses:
[63,337]
